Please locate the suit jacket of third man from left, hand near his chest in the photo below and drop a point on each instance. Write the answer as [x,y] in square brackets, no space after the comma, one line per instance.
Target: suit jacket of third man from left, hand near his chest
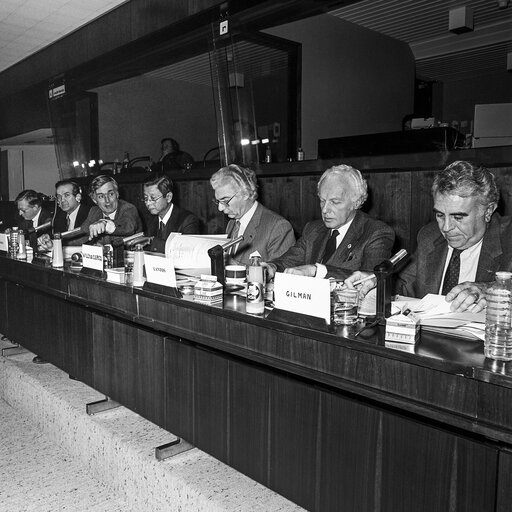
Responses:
[127,223]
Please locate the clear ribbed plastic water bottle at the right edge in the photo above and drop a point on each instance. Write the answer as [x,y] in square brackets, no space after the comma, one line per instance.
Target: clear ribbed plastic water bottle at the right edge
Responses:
[498,328]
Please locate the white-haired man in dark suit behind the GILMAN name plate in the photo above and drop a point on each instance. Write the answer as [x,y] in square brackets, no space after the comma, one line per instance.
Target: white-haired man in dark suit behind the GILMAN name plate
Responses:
[346,239]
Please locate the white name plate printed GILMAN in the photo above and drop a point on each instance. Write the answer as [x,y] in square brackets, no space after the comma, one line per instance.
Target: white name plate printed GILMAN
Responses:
[305,295]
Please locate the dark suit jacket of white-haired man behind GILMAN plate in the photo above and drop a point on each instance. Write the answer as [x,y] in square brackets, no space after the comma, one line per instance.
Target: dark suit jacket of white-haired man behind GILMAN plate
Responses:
[366,244]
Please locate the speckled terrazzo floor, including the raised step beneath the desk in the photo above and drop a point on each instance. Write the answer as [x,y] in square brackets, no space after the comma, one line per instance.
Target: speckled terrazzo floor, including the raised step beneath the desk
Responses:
[54,457]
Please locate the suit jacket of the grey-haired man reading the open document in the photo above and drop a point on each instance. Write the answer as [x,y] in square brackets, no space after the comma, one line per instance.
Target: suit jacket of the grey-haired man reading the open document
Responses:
[267,232]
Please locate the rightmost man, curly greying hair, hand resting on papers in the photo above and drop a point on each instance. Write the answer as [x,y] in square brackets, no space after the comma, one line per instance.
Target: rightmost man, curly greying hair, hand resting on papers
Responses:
[459,253]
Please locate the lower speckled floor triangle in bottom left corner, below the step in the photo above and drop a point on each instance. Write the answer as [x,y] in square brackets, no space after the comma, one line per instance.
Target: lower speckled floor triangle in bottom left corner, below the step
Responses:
[38,475]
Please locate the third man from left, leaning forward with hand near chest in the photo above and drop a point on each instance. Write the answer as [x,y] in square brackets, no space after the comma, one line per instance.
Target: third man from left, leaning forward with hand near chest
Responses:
[111,219]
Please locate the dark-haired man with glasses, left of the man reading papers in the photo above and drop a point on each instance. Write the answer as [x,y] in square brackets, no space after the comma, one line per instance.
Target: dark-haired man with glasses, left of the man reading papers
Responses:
[167,217]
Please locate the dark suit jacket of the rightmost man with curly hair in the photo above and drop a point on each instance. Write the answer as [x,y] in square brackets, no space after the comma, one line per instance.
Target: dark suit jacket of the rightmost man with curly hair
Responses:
[424,272]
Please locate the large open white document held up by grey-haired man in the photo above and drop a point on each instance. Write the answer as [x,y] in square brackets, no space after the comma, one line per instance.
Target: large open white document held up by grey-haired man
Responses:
[191,251]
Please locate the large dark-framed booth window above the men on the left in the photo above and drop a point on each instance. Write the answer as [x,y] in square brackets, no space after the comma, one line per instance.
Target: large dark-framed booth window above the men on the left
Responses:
[234,102]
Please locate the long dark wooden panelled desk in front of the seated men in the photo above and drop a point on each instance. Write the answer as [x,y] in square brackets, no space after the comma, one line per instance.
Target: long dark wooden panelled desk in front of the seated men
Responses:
[330,421]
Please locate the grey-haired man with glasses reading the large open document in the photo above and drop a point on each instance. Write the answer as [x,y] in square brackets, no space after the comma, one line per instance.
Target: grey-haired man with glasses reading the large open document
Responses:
[264,231]
